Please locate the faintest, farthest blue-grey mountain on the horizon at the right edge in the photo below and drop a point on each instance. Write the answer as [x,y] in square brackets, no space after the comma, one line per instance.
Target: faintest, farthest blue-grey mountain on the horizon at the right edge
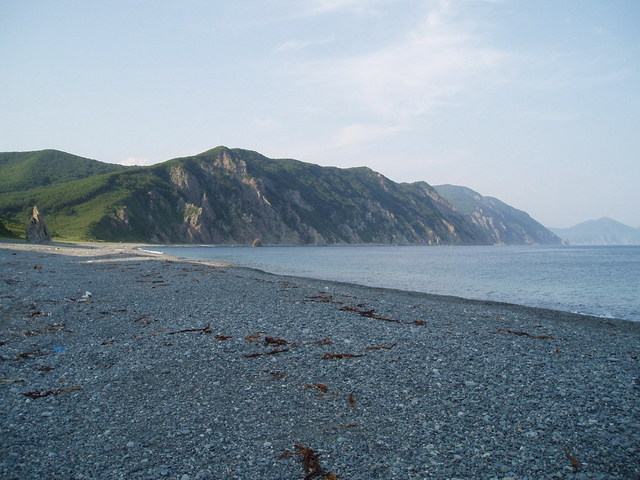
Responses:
[603,231]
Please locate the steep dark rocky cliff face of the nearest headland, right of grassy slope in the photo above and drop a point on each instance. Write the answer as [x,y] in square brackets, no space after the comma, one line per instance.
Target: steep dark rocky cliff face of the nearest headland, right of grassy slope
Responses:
[235,196]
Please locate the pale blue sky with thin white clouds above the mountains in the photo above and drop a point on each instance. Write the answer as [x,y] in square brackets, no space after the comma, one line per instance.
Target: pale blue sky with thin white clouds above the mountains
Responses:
[535,102]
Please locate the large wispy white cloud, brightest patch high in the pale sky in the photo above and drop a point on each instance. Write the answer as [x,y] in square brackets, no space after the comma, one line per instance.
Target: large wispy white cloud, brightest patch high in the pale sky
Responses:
[409,76]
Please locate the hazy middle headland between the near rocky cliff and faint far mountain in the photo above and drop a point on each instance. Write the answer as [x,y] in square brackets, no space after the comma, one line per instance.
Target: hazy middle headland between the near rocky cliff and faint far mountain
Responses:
[506,224]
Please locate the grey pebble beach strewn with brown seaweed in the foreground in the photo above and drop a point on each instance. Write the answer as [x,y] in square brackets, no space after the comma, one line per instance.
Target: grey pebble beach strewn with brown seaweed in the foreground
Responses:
[116,363]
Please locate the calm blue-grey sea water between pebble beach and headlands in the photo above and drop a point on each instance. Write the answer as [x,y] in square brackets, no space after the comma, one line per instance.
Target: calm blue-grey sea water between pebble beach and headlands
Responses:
[595,280]
